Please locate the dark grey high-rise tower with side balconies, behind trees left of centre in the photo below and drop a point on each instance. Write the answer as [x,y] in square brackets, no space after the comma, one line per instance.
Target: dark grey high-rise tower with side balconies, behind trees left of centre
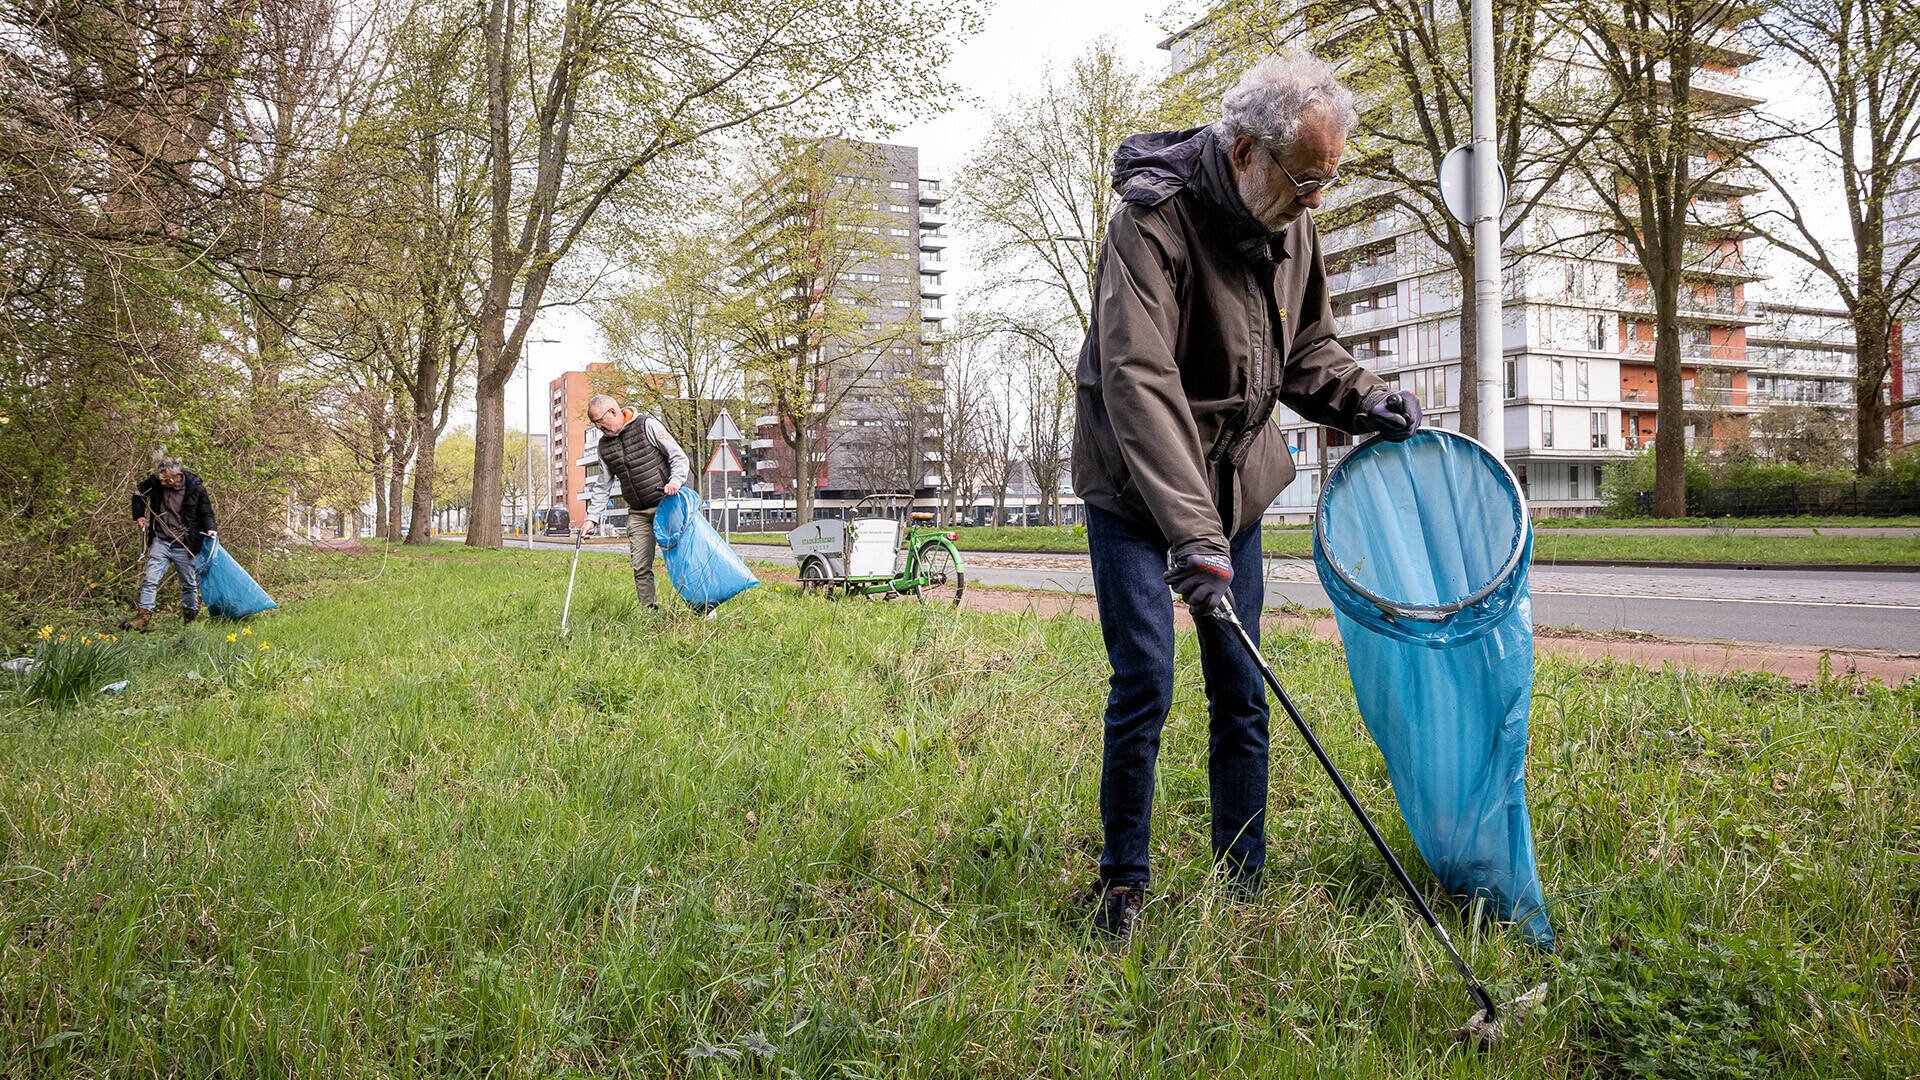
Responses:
[882,433]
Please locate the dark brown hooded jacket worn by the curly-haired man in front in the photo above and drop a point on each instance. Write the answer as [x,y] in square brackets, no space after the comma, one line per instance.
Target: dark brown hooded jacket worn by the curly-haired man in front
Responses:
[1203,322]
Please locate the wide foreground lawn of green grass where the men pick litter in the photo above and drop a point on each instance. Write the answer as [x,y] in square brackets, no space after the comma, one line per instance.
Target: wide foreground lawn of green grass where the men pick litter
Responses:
[420,835]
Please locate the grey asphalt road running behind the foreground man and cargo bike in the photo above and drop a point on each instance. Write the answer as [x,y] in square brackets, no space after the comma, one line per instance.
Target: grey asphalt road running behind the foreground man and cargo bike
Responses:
[1871,610]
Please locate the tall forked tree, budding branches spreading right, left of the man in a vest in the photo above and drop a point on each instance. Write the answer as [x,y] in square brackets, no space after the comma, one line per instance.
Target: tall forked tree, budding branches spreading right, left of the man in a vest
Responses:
[592,99]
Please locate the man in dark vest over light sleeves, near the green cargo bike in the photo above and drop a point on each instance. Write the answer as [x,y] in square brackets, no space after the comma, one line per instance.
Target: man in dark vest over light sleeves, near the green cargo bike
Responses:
[650,466]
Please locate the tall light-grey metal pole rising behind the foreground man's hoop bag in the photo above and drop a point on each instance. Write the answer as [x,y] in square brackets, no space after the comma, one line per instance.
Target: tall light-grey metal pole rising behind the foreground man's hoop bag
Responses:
[1491,347]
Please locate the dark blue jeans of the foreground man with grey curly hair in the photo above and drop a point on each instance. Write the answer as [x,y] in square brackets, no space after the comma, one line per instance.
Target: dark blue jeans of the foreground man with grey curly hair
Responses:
[1130,562]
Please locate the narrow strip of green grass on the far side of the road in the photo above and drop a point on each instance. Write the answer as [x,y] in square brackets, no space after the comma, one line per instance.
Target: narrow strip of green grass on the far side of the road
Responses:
[1548,547]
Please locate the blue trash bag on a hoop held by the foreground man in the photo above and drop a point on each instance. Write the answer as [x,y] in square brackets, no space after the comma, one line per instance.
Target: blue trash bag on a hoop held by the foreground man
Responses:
[1424,549]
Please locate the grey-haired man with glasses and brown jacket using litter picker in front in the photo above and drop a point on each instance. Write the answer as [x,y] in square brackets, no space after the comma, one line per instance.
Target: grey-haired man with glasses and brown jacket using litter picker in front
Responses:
[1211,308]
